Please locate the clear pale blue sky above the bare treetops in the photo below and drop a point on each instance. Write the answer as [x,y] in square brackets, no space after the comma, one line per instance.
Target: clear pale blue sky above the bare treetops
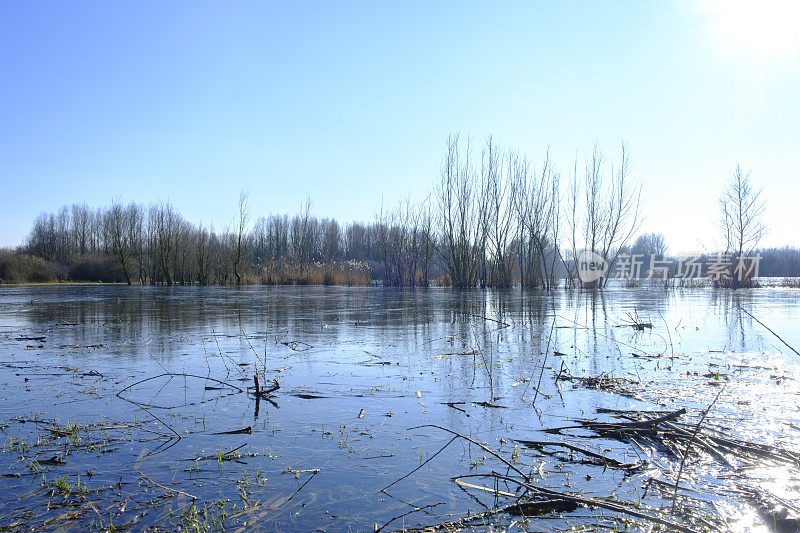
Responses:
[352,102]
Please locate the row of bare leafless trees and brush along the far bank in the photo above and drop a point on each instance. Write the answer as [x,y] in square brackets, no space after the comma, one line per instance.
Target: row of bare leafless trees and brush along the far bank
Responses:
[493,218]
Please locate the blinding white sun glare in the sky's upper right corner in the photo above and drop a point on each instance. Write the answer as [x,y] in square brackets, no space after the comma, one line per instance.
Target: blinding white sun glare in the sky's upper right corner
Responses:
[762,31]
